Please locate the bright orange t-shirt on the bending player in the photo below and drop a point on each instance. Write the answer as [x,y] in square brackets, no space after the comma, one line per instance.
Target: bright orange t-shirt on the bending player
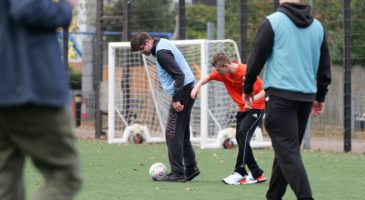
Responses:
[234,86]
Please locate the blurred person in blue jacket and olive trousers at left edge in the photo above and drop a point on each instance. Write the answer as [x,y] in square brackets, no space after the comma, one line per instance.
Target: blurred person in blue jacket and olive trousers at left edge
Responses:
[35,118]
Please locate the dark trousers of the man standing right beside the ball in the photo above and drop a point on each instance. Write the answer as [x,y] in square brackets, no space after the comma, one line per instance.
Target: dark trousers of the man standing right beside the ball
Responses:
[180,151]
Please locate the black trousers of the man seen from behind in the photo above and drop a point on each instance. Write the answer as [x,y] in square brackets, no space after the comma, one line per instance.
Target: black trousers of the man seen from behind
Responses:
[286,122]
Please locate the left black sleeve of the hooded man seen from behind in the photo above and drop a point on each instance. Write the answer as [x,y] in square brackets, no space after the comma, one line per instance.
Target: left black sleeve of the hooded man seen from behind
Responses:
[261,50]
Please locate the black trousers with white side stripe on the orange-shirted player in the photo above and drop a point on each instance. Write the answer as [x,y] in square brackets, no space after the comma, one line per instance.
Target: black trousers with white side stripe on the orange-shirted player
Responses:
[246,126]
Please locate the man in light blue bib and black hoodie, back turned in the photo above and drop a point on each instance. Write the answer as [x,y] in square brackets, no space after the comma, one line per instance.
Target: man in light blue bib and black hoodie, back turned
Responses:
[297,74]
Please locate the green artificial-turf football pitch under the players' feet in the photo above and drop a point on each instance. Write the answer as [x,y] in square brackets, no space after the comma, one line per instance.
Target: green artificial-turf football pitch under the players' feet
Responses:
[113,172]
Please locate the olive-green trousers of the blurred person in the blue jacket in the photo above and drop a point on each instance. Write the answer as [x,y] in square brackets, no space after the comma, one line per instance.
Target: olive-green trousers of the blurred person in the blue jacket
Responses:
[45,135]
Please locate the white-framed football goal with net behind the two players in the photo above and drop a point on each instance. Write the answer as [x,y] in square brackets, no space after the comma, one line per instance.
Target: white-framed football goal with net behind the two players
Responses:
[138,106]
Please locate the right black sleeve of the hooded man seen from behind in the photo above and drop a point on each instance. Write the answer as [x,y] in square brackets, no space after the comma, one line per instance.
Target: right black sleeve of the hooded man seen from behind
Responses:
[324,71]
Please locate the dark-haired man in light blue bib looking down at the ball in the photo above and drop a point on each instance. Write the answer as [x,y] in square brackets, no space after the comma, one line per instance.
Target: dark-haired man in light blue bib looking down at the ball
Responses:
[177,80]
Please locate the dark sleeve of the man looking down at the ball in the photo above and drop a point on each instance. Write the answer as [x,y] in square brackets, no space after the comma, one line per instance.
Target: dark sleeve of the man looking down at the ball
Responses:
[167,61]
